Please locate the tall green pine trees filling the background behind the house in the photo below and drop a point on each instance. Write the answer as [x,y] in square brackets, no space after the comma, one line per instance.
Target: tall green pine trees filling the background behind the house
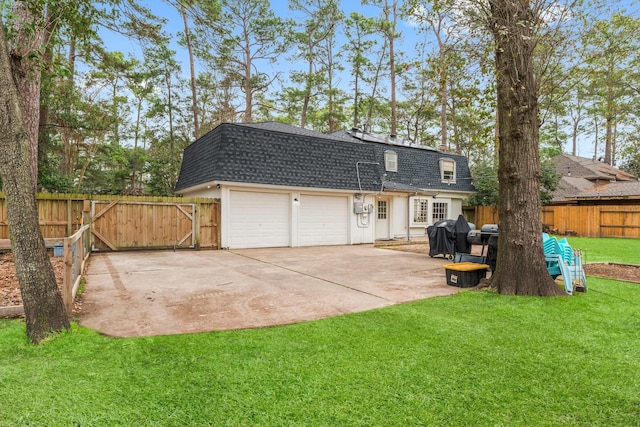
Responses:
[332,72]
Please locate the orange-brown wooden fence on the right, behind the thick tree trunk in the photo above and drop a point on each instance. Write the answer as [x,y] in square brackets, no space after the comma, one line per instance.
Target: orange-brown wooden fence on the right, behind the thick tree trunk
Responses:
[587,221]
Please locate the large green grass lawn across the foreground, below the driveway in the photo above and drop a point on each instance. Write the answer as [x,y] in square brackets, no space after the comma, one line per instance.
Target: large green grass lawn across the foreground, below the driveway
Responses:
[476,358]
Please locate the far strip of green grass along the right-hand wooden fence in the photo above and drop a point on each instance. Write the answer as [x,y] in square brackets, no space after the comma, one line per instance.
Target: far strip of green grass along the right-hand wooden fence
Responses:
[626,251]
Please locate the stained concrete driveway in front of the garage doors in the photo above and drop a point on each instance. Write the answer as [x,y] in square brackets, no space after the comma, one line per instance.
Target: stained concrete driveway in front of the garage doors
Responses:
[160,293]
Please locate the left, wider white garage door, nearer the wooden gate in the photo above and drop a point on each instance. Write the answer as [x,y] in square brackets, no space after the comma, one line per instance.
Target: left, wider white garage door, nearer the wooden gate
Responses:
[259,220]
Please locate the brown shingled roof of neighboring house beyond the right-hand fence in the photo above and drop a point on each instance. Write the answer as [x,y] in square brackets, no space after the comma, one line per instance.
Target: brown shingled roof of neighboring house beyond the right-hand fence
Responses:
[584,179]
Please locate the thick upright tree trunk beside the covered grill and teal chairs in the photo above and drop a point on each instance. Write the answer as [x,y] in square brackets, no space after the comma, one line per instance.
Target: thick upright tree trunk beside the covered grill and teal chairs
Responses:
[521,268]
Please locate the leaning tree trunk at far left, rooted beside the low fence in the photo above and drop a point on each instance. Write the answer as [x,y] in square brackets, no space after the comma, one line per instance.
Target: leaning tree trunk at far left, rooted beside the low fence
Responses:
[43,306]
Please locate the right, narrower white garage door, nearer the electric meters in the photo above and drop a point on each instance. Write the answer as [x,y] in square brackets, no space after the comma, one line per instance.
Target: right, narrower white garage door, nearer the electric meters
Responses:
[324,220]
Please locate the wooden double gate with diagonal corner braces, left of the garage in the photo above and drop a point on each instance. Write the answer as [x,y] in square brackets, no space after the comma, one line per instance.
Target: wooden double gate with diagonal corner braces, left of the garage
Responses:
[123,224]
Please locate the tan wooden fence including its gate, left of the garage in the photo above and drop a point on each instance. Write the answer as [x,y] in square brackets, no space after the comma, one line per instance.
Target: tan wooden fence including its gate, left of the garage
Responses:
[126,222]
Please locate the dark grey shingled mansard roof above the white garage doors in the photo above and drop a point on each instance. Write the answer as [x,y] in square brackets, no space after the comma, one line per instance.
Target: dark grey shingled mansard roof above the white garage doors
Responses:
[274,153]
